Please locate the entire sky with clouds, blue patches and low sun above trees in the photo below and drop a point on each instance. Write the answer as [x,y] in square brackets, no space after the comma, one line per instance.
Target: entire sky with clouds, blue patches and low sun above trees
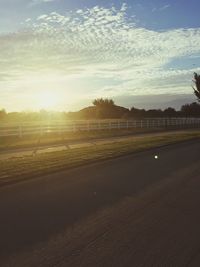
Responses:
[61,54]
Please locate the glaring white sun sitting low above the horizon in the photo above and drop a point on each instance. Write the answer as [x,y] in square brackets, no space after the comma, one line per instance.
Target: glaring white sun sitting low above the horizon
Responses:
[48,100]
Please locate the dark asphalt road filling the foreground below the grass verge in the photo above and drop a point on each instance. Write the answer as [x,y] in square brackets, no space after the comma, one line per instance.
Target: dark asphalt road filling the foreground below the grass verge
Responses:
[138,210]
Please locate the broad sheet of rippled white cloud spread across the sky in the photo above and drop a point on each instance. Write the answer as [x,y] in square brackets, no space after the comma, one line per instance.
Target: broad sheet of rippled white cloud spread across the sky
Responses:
[101,48]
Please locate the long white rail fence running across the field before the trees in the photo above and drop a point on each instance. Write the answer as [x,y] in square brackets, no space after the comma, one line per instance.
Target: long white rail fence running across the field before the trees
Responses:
[64,127]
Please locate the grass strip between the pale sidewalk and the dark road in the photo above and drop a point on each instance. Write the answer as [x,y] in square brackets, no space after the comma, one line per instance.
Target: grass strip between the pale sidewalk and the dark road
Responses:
[17,169]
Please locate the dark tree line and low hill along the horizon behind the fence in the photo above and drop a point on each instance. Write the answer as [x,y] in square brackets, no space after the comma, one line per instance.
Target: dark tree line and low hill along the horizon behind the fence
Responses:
[107,109]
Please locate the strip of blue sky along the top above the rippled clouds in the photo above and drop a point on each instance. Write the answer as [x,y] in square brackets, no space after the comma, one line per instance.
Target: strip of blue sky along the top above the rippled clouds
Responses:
[154,14]
